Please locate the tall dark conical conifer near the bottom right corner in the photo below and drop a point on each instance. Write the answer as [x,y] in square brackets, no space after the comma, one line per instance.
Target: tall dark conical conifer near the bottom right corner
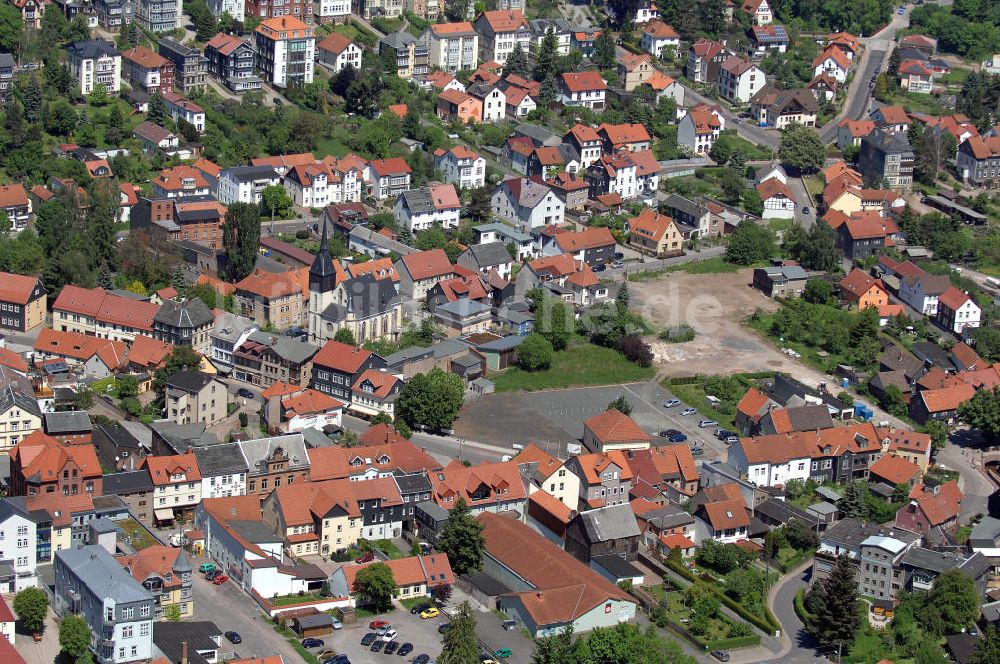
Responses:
[835,609]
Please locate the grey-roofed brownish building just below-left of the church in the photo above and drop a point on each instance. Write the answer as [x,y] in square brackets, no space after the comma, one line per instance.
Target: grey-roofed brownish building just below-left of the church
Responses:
[265,358]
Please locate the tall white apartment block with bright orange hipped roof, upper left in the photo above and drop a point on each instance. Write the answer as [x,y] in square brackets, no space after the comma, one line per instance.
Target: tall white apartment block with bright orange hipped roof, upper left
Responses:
[286,50]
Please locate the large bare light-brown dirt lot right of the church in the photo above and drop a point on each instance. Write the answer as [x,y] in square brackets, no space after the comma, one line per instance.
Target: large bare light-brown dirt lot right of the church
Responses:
[714,305]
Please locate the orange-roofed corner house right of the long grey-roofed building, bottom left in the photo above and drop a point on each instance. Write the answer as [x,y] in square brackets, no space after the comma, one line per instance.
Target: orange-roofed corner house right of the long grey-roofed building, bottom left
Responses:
[165,572]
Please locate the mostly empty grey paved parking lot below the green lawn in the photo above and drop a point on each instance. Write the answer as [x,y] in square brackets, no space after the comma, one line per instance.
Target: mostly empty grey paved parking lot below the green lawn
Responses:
[554,418]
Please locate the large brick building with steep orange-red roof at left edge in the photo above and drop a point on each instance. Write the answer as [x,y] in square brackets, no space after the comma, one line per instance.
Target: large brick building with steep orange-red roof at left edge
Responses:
[41,464]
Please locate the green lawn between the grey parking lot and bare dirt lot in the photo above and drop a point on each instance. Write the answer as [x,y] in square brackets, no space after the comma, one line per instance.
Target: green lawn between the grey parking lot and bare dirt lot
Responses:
[583,364]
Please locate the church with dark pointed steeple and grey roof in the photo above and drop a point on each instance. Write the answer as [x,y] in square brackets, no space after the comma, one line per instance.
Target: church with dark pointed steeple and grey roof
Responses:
[370,308]
